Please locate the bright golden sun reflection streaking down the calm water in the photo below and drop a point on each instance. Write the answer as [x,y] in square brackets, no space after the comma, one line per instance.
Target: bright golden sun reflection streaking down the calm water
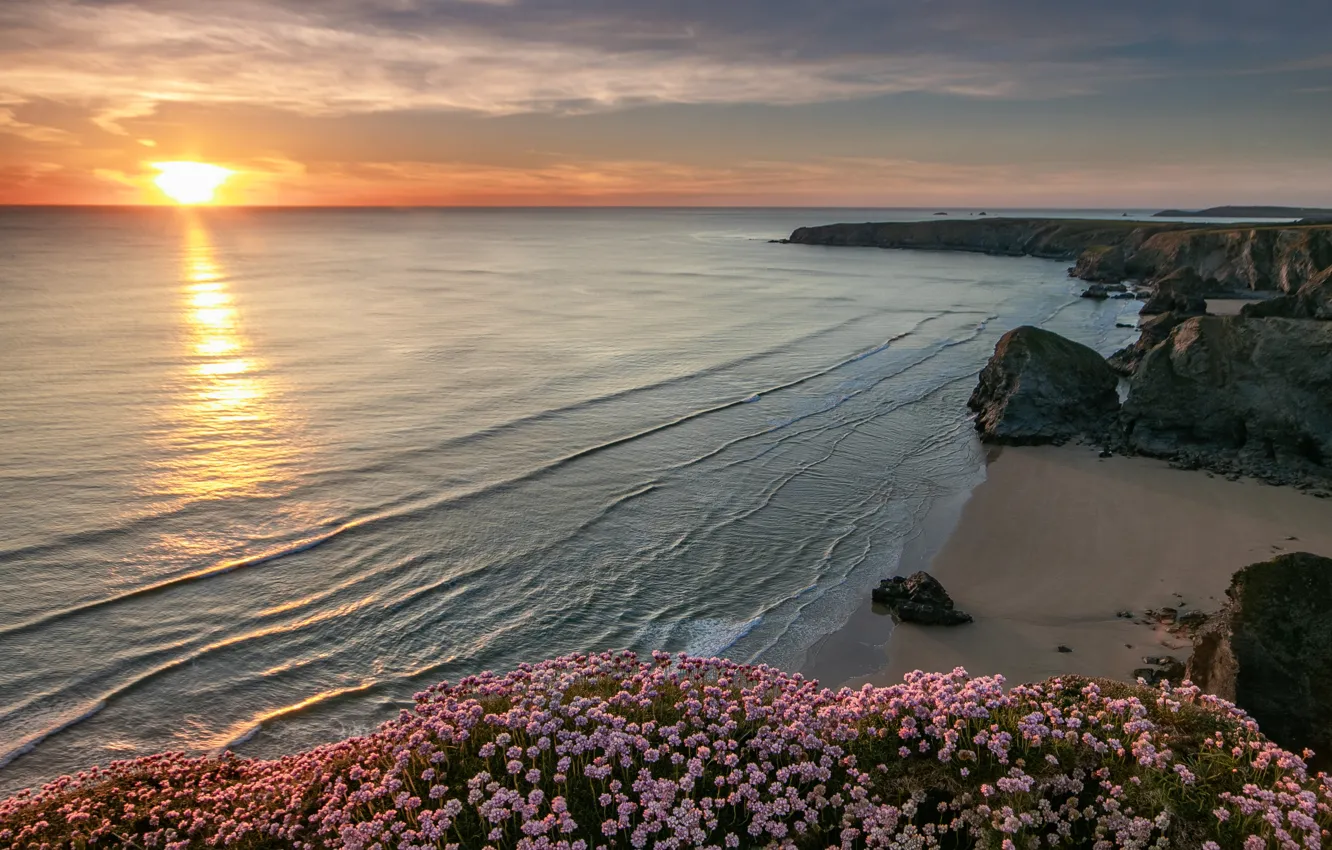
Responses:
[230,436]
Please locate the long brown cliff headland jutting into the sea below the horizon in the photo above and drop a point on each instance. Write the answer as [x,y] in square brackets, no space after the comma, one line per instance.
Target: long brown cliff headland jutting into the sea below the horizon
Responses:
[1225,258]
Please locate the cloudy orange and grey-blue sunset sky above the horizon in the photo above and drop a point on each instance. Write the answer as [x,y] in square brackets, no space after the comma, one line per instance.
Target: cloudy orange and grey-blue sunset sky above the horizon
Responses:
[834,103]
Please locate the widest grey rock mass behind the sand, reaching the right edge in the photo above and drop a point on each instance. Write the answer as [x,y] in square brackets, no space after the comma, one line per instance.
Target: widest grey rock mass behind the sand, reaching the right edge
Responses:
[1243,395]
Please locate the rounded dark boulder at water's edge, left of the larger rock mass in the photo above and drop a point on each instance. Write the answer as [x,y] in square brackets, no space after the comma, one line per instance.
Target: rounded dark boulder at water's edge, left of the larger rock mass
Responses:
[1040,388]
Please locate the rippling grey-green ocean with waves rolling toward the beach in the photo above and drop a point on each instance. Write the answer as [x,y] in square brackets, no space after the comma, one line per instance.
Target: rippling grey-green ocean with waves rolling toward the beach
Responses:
[264,475]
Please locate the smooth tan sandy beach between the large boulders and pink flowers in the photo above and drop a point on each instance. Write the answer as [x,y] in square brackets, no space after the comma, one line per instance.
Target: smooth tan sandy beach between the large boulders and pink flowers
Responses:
[1054,544]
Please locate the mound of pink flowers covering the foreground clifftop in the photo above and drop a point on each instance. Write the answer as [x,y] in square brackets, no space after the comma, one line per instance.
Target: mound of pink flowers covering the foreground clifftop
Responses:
[607,751]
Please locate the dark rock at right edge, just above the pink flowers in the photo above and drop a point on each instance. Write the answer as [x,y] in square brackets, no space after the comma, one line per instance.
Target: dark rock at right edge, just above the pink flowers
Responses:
[1270,651]
